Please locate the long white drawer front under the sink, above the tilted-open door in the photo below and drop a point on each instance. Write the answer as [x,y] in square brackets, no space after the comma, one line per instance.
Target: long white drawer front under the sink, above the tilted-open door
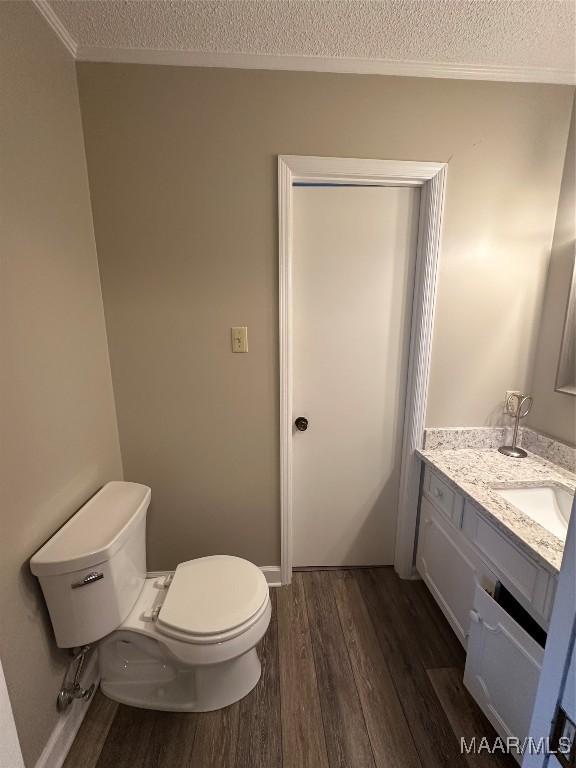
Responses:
[530,583]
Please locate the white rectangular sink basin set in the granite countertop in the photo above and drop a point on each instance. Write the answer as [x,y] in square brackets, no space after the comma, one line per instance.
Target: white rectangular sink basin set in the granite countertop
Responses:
[547,505]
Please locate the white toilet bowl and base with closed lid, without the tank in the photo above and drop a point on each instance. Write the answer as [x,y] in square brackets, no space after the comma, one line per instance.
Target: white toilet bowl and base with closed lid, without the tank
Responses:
[205,658]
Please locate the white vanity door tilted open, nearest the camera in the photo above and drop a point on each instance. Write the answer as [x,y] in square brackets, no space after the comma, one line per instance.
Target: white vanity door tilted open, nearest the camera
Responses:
[502,667]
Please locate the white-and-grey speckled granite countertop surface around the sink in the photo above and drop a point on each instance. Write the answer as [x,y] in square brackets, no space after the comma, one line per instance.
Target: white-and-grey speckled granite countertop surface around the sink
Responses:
[476,472]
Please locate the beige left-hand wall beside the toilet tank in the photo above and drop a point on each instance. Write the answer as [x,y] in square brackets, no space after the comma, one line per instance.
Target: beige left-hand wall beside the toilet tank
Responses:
[58,431]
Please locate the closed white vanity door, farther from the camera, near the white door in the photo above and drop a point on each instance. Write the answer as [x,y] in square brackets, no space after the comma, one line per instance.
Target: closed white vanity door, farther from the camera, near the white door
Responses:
[450,568]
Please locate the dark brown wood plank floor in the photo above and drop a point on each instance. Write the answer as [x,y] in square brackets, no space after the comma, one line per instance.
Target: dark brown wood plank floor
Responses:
[359,670]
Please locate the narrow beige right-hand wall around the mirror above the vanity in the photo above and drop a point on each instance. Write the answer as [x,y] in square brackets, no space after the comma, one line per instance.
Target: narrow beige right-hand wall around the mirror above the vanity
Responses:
[555,412]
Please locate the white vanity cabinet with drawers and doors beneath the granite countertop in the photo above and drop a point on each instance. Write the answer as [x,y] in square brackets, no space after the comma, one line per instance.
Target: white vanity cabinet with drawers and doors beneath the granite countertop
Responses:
[462,557]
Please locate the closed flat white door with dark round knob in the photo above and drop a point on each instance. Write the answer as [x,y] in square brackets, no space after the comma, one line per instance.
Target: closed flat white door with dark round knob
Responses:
[354,250]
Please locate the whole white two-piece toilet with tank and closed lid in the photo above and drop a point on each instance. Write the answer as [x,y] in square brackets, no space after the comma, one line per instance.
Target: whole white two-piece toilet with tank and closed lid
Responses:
[182,642]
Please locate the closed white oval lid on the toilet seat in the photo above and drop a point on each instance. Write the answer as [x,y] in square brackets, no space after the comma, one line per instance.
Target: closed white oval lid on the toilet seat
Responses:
[211,595]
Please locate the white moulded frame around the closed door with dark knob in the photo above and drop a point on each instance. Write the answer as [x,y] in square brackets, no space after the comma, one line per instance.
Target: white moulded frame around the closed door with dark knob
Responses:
[431,179]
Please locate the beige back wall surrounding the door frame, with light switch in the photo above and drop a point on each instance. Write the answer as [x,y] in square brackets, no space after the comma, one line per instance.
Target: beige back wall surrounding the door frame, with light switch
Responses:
[182,166]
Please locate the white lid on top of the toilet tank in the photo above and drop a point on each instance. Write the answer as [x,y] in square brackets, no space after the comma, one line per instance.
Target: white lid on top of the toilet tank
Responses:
[95,532]
